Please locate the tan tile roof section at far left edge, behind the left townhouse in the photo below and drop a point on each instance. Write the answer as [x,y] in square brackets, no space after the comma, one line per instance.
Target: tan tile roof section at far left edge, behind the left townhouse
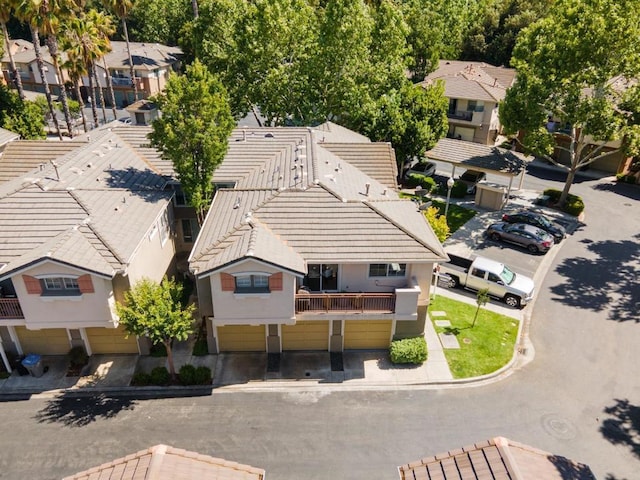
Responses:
[27,155]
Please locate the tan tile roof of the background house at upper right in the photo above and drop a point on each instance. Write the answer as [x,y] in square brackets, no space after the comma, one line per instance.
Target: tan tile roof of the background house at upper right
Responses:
[473,80]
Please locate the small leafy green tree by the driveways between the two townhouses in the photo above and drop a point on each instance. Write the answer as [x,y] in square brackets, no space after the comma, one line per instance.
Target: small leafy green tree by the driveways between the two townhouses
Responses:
[154,310]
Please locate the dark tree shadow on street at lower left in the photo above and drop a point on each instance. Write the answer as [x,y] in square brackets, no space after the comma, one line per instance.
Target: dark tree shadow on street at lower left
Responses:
[79,411]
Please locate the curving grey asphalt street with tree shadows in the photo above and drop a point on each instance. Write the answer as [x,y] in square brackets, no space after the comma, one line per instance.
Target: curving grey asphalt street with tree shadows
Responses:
[579,397]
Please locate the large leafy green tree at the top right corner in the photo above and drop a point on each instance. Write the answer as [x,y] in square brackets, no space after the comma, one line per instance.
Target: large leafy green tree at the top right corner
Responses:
[579,73]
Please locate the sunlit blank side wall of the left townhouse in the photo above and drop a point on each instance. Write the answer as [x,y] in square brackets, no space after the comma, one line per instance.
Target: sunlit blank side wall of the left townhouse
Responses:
[152,258]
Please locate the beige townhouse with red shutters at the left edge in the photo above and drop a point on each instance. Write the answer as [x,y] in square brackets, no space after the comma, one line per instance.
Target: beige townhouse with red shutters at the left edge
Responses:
[76,232]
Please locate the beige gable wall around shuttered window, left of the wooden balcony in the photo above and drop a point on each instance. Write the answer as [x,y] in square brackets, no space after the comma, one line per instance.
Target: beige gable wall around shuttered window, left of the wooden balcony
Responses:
[234,309]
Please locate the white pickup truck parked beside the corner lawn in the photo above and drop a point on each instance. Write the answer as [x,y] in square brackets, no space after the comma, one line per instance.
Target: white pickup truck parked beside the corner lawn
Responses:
[514,289]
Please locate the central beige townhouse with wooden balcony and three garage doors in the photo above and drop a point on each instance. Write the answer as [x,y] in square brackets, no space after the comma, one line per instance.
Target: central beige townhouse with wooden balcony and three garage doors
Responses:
[310,247]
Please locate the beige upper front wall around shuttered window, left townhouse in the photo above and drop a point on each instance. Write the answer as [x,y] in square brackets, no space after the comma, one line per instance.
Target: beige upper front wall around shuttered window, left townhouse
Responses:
[86,310]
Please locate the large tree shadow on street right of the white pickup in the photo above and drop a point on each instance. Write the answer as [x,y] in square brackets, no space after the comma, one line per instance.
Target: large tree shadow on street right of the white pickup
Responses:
[607,282]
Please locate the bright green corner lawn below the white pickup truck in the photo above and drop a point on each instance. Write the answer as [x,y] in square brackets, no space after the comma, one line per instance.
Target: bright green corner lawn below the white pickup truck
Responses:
[484,348]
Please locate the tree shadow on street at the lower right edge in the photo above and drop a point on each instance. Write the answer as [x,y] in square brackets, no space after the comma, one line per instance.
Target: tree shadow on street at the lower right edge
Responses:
[623,425]
